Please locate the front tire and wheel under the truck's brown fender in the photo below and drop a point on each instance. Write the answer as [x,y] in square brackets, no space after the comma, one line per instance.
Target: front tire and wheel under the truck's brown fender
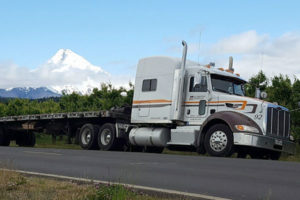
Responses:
[219,141]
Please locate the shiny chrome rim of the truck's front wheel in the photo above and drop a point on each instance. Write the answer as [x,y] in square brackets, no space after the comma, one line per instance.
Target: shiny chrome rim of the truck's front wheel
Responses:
[218,141]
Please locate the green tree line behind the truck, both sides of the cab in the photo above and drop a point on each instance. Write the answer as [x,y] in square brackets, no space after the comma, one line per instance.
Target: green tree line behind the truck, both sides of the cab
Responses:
[280,89]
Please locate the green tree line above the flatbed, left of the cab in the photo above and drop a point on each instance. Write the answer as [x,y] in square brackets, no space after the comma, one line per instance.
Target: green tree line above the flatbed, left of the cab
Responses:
[100,99]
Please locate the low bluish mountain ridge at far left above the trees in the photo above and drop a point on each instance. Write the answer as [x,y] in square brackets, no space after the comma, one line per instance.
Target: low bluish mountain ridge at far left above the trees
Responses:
[28,93]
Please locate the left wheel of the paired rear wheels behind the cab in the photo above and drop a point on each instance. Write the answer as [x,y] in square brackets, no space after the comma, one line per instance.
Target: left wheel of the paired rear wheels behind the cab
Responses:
[88,136]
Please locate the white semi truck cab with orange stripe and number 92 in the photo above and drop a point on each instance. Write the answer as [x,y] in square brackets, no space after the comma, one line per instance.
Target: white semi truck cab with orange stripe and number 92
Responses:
[180,103]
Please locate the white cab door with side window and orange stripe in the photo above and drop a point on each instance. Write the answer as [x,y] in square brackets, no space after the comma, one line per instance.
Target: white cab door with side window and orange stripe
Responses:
[196,97]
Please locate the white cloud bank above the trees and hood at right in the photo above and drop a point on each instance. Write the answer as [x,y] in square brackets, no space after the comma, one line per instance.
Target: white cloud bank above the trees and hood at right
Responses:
[253,52]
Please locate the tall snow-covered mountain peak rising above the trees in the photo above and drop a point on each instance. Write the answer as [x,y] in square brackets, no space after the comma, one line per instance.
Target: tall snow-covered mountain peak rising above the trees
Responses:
[73,73]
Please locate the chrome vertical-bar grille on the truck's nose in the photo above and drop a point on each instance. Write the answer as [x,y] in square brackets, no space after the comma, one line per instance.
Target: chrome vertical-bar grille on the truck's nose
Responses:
[278,122]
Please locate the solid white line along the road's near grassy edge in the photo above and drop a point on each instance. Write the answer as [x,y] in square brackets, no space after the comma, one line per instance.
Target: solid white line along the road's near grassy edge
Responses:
[138,187]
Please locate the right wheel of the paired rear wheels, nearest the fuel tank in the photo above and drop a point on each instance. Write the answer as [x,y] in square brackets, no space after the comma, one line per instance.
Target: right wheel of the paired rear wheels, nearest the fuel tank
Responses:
[107,138]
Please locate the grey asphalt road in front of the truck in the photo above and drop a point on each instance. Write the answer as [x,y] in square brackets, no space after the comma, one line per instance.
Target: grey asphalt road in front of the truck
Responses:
[221,177]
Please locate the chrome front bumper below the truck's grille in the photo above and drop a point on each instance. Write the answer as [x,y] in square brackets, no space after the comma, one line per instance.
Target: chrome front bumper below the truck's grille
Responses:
[265,142]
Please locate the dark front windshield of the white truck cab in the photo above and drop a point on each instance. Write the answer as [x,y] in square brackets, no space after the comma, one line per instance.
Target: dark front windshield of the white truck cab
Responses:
[227,85]
